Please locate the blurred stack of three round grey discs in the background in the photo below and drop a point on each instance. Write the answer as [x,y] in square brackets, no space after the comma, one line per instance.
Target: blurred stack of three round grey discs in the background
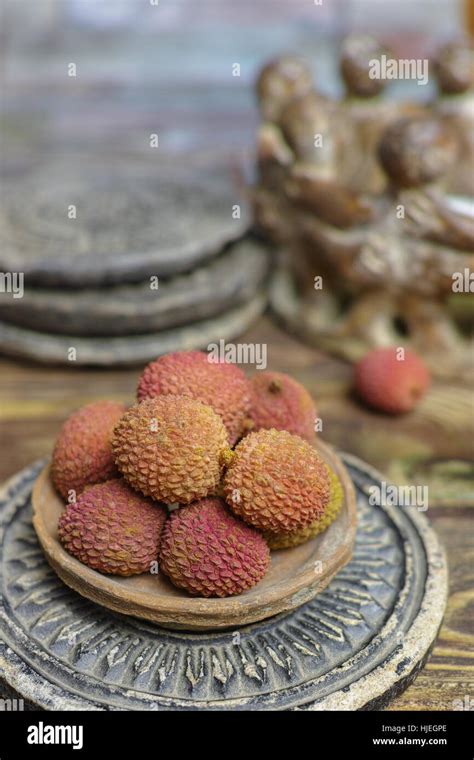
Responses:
[122,261]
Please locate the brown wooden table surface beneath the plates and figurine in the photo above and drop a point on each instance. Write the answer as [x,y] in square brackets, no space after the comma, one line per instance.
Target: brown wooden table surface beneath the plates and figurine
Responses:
[431,446]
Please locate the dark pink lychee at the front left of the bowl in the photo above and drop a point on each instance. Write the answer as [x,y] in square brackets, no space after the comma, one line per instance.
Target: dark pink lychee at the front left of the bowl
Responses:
[112,529]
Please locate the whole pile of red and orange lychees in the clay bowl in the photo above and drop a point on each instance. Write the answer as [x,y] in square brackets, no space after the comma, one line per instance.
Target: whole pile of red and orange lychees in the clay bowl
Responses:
[201,478]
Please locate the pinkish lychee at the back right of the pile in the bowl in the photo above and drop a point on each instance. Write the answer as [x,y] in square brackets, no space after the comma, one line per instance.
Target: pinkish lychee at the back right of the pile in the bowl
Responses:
[282,403]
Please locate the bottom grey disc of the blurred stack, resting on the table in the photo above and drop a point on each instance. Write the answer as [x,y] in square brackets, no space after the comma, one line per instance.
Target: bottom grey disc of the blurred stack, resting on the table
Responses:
[131,349]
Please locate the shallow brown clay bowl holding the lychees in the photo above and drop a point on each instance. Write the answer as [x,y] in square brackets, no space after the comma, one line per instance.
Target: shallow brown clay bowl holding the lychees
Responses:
[295,575]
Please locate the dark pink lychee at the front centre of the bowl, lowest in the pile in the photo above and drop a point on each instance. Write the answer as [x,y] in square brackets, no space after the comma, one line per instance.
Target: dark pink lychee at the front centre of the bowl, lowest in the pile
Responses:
[208,552]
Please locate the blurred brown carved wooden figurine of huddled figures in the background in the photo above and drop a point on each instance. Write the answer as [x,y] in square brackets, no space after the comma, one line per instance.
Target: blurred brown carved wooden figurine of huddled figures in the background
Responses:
[360,269]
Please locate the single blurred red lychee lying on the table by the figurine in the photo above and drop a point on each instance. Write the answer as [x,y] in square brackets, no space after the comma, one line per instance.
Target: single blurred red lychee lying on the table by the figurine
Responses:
[390,384]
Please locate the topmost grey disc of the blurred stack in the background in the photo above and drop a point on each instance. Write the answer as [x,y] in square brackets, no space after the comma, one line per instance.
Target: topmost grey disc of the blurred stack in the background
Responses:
[83,222]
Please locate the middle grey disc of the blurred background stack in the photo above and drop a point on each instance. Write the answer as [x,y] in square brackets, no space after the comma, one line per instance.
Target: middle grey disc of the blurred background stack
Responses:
[232,278]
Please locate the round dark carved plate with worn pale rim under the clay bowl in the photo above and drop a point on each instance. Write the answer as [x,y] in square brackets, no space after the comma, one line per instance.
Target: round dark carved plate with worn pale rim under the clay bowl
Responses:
[357,644]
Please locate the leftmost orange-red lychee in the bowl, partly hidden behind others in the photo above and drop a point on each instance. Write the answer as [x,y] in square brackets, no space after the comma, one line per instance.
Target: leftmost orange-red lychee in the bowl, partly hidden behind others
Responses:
[82,454]
